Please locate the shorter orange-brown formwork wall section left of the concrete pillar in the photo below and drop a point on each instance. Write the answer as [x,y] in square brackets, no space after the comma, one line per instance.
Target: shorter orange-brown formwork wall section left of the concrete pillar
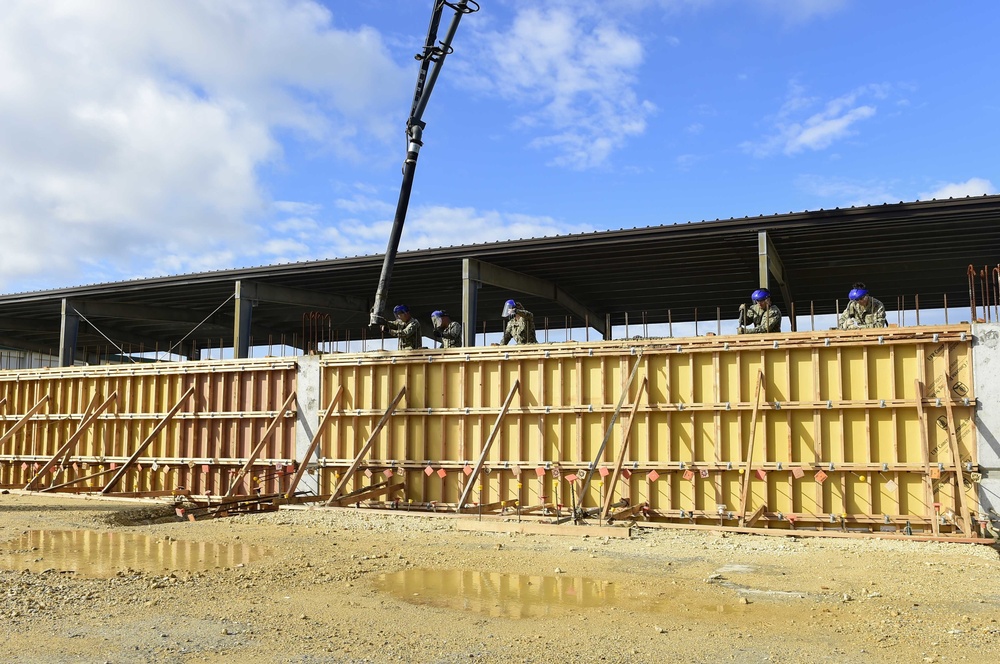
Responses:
[198,448]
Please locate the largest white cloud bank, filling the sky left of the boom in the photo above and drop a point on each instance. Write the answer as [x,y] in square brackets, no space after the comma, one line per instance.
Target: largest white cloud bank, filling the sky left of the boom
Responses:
[132,132]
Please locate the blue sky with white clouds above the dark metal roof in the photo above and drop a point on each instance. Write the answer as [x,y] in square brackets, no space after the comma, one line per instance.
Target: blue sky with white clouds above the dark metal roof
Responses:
[165,137]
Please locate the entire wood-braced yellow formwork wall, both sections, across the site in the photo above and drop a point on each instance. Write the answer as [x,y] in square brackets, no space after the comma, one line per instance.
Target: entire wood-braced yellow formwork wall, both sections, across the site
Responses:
[841,437]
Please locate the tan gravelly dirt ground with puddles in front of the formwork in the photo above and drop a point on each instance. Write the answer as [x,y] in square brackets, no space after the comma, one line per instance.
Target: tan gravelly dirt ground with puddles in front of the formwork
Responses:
[370,586]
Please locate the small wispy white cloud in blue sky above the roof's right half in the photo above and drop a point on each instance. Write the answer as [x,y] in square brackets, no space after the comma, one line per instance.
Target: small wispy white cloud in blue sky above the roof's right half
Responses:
[796,127]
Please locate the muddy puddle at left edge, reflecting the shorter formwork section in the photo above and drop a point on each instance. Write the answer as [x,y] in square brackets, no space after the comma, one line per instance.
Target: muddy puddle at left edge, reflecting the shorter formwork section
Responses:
[100,554]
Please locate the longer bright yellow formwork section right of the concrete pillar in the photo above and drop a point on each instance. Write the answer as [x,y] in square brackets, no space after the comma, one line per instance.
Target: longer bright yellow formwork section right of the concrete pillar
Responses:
[839,440]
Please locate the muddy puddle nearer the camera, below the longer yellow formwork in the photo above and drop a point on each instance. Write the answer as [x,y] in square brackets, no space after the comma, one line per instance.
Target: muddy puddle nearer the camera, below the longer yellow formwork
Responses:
[526,596]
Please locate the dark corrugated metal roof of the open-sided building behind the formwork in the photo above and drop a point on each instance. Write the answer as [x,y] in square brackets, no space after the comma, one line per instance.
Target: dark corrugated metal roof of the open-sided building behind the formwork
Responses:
[900,250]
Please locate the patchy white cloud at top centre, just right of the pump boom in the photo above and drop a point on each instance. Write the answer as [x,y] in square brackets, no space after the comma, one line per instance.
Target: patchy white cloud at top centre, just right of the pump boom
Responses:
[574,70]
